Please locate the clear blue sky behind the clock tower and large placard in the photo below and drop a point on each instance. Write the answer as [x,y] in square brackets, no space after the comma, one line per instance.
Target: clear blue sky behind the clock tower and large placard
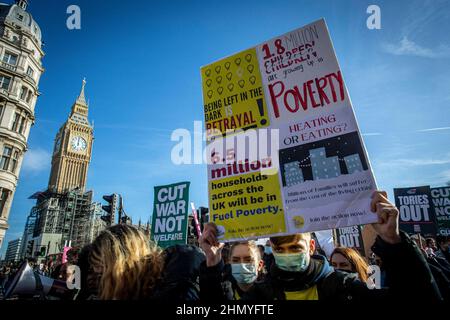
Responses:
[142,63]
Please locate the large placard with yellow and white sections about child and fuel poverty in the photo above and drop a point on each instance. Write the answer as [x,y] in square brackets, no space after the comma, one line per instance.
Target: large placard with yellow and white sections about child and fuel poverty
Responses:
[316,176]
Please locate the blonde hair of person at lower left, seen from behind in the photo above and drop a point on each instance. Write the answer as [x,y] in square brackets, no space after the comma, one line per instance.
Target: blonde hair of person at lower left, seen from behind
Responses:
[131,265]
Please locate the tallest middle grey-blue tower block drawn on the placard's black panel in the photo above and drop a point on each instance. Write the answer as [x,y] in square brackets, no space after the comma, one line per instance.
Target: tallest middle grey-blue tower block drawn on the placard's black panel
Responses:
[323,167]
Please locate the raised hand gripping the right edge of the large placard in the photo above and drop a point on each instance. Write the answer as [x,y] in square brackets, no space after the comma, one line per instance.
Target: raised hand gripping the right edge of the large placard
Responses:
[387,226]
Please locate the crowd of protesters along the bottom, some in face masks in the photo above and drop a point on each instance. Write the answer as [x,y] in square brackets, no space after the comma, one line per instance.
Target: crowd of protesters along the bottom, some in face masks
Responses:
[121,264]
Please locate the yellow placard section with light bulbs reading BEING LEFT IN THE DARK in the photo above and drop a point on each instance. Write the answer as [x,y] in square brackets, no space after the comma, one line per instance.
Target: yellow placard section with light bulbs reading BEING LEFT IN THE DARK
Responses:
[233,94]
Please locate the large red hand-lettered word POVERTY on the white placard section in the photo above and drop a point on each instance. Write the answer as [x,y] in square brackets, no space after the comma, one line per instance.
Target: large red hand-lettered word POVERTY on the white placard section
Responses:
[313,93]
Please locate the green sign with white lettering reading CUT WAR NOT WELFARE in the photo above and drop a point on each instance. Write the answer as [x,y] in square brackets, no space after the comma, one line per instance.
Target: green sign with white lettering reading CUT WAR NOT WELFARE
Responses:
[170,214]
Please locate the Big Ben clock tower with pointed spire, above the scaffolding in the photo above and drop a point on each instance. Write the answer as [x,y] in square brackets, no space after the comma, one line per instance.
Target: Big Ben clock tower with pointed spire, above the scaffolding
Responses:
[73,149]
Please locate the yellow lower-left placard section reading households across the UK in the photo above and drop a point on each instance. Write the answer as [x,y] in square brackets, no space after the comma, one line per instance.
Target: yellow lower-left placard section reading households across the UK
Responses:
[246,206]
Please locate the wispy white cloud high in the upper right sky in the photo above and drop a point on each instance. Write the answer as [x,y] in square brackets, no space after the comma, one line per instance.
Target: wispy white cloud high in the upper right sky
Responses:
[407,47]
